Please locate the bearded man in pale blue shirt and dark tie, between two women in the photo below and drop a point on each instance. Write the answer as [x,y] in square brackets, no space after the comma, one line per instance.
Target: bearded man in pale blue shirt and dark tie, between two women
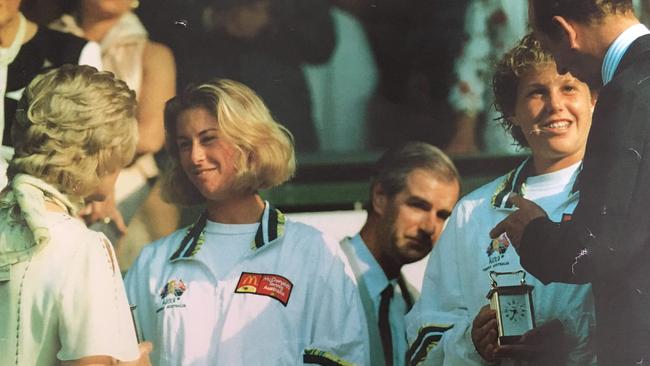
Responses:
[413,191]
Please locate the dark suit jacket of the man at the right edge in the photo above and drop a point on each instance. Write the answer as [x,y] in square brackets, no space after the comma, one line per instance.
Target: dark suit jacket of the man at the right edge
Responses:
[607,242]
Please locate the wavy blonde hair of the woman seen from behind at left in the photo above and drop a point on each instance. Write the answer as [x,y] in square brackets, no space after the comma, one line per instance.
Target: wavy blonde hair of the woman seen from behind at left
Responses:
[73,126]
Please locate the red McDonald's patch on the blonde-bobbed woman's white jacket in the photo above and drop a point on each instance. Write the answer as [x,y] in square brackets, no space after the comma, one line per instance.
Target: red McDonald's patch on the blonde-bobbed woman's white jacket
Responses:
[274,286]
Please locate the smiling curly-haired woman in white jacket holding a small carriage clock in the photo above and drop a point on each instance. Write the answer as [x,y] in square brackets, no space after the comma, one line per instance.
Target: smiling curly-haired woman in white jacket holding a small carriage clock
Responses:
[551,113]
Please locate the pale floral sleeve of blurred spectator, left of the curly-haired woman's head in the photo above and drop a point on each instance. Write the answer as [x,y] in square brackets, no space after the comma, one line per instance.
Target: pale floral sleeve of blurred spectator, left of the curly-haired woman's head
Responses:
[467,92]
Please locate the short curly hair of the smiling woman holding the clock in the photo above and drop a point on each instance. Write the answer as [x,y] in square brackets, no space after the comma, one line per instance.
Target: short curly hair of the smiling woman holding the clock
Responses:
[526,54]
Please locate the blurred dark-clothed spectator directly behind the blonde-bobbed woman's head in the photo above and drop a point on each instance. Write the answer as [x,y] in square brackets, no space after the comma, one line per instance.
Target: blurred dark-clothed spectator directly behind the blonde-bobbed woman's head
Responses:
[263,44]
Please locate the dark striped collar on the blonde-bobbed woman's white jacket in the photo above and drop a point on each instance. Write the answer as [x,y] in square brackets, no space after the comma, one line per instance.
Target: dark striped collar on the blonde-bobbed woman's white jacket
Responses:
[270,230]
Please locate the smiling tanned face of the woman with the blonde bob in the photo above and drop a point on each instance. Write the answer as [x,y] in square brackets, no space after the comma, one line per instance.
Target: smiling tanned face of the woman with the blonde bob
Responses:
[206,156]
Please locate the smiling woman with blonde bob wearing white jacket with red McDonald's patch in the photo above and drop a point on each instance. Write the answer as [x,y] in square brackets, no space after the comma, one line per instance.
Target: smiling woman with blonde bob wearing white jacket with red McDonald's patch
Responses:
[242,271]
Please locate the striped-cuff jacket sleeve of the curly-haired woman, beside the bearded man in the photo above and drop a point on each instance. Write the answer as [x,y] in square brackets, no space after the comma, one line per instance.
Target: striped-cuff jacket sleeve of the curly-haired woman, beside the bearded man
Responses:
[439,325]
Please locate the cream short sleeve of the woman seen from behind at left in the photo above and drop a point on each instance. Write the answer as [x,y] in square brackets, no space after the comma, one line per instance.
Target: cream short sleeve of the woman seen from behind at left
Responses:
[93,310]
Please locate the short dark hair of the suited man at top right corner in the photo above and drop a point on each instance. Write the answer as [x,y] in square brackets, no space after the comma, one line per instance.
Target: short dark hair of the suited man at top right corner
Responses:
[583,11]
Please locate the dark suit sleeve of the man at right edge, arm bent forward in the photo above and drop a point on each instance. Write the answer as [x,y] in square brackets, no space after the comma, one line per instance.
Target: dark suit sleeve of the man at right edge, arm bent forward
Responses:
[608,232]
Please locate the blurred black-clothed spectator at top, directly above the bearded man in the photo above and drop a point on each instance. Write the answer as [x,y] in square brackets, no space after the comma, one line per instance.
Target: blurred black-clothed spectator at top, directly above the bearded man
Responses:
[414,44]
